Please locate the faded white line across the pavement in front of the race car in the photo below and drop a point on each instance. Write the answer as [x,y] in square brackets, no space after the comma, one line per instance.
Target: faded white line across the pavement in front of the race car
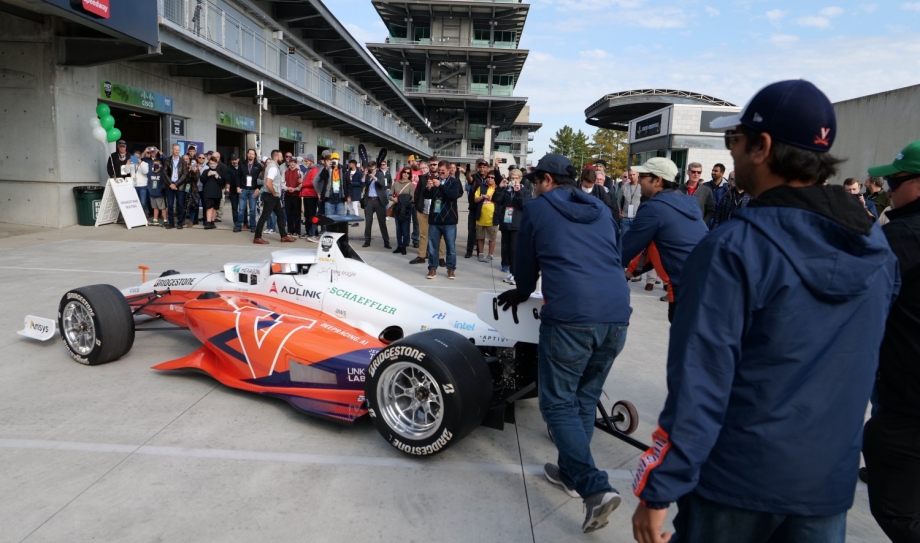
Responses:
[295,458]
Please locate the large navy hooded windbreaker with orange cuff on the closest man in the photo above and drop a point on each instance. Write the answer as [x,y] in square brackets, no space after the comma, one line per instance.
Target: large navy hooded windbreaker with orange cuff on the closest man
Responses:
[773,352]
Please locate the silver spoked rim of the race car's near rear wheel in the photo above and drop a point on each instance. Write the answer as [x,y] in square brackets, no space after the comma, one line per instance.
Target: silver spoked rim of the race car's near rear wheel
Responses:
[410,401]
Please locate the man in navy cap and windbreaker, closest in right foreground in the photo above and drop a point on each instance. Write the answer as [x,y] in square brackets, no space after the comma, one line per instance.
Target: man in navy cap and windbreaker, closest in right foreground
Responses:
[774,344]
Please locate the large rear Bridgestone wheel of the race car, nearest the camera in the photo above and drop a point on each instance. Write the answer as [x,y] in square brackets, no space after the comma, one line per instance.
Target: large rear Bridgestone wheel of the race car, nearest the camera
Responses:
[452,377]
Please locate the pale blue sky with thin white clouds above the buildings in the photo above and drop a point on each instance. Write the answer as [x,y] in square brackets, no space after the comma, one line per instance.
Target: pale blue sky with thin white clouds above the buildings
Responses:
[581,50]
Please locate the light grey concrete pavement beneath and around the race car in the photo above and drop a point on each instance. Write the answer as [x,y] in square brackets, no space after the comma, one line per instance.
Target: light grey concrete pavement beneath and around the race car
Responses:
[120,452]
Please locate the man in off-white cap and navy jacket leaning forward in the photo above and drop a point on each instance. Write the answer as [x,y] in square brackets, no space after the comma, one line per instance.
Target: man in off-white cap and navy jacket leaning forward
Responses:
[669,219]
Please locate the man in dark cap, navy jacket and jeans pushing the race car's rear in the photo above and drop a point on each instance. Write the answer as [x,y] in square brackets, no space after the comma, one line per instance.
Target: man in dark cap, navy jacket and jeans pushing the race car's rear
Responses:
[570,237]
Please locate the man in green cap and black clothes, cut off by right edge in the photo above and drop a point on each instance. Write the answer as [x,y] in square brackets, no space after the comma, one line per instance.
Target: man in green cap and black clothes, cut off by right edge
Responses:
[890,443]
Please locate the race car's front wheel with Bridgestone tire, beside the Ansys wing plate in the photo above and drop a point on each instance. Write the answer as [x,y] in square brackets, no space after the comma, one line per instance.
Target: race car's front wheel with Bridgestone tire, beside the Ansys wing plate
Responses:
[110,318]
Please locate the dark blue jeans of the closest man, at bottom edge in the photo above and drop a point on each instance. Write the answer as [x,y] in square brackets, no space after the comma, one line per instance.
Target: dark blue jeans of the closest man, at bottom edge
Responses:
[699,519]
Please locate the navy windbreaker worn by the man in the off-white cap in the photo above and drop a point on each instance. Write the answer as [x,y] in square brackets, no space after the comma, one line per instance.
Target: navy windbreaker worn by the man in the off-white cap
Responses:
[672,220]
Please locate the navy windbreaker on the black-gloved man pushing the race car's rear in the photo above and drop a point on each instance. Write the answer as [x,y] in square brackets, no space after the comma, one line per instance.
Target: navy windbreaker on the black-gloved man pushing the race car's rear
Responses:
[571,237]
